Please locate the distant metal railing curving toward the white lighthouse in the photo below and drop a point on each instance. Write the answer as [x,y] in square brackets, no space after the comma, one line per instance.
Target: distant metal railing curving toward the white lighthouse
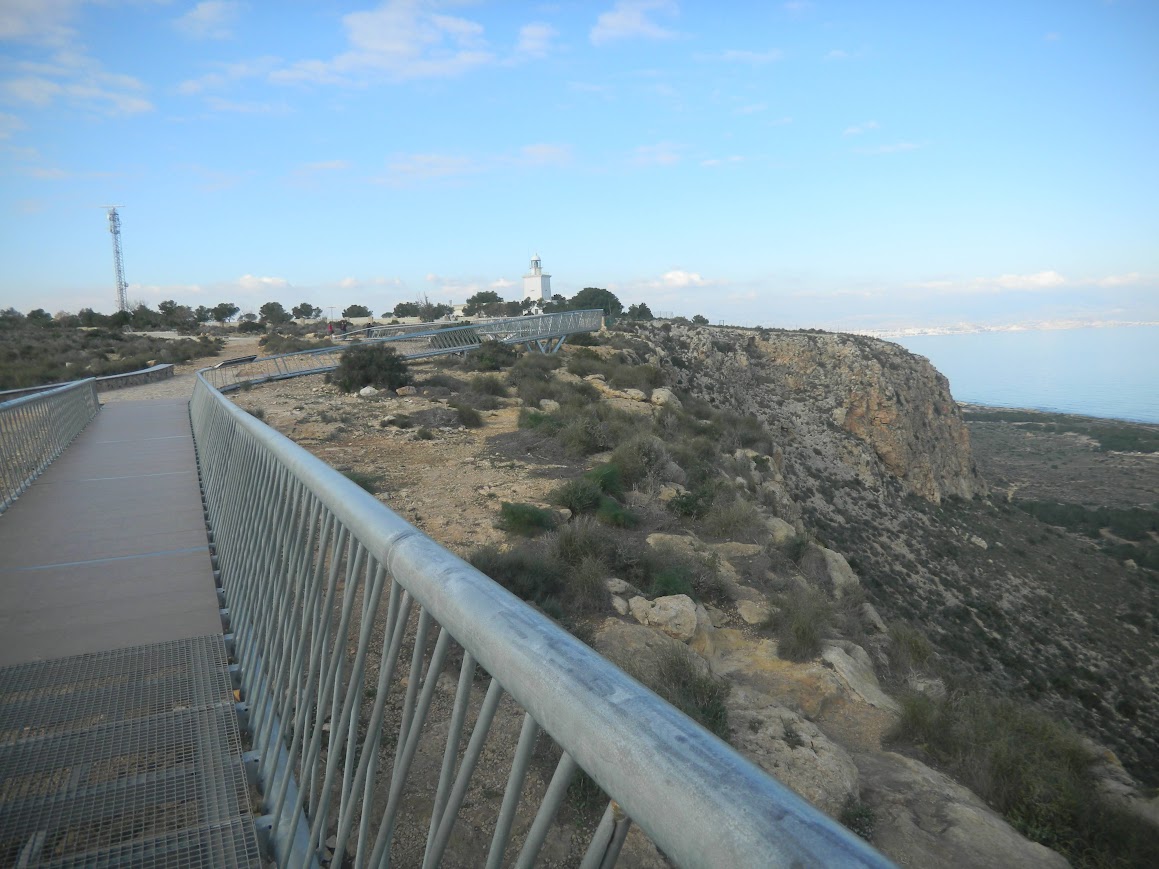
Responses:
[413,342]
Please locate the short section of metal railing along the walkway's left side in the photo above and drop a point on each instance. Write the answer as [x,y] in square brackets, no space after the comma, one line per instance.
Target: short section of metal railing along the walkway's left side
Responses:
[37,429]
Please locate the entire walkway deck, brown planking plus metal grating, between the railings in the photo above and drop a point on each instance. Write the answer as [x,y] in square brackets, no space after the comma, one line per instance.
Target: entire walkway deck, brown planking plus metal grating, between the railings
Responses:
[119,741]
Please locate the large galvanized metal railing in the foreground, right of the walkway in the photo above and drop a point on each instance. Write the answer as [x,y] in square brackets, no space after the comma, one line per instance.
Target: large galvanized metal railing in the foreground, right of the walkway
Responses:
[344,619]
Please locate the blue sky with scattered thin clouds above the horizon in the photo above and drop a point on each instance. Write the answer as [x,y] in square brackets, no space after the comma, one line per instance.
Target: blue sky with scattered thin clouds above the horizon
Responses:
[834,165]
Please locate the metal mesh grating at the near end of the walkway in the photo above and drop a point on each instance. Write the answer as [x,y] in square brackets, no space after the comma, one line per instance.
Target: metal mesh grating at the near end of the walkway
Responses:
[125,758]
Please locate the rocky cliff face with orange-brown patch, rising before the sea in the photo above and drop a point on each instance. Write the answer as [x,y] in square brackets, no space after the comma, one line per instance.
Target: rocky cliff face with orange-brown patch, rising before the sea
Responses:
[896,405]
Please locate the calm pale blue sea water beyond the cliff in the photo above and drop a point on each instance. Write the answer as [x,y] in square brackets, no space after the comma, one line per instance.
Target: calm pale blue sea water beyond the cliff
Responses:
[1110,373]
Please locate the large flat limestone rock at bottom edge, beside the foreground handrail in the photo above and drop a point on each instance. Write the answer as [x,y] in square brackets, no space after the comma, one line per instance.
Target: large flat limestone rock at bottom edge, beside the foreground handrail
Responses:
[924,819]
